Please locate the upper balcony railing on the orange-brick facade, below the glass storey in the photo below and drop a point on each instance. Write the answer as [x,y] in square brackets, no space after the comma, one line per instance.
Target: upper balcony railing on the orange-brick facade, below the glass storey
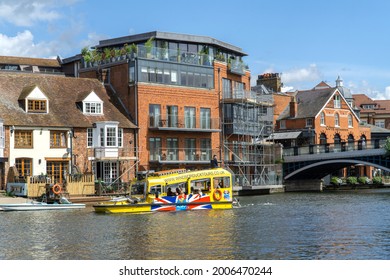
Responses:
[174,122]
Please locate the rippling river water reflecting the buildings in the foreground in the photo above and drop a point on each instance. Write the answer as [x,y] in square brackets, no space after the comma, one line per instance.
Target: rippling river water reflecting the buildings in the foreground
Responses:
[350,225]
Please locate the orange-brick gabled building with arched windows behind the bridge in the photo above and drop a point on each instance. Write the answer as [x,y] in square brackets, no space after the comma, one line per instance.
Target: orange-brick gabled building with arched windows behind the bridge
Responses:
[322,115]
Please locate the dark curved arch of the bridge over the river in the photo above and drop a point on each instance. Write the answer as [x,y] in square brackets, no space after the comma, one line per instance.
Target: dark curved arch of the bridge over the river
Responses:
[332,165]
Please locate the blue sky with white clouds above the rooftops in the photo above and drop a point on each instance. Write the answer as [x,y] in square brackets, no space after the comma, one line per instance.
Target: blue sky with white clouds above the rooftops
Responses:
[305,41]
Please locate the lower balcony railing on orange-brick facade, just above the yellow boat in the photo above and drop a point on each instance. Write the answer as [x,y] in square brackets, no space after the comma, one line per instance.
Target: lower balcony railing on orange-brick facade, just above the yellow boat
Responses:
[186,155]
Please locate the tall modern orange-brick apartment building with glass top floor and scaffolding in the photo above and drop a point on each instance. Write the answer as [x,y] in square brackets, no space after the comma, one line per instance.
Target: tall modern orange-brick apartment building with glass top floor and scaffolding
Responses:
[189,95]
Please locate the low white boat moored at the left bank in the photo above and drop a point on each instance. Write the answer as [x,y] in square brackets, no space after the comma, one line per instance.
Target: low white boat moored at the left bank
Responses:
[36,205]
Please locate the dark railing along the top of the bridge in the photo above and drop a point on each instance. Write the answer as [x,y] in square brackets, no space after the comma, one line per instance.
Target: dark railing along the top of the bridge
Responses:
[334,147]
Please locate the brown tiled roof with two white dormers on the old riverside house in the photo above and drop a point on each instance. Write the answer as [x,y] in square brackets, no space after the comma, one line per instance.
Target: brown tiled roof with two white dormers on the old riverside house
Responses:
[63,94]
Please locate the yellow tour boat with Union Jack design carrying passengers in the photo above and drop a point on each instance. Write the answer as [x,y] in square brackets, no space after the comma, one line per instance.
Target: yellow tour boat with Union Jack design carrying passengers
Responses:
[174,190]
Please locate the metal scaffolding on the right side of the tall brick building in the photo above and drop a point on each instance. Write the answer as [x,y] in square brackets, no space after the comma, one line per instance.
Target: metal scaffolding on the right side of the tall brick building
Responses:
[247,121]
